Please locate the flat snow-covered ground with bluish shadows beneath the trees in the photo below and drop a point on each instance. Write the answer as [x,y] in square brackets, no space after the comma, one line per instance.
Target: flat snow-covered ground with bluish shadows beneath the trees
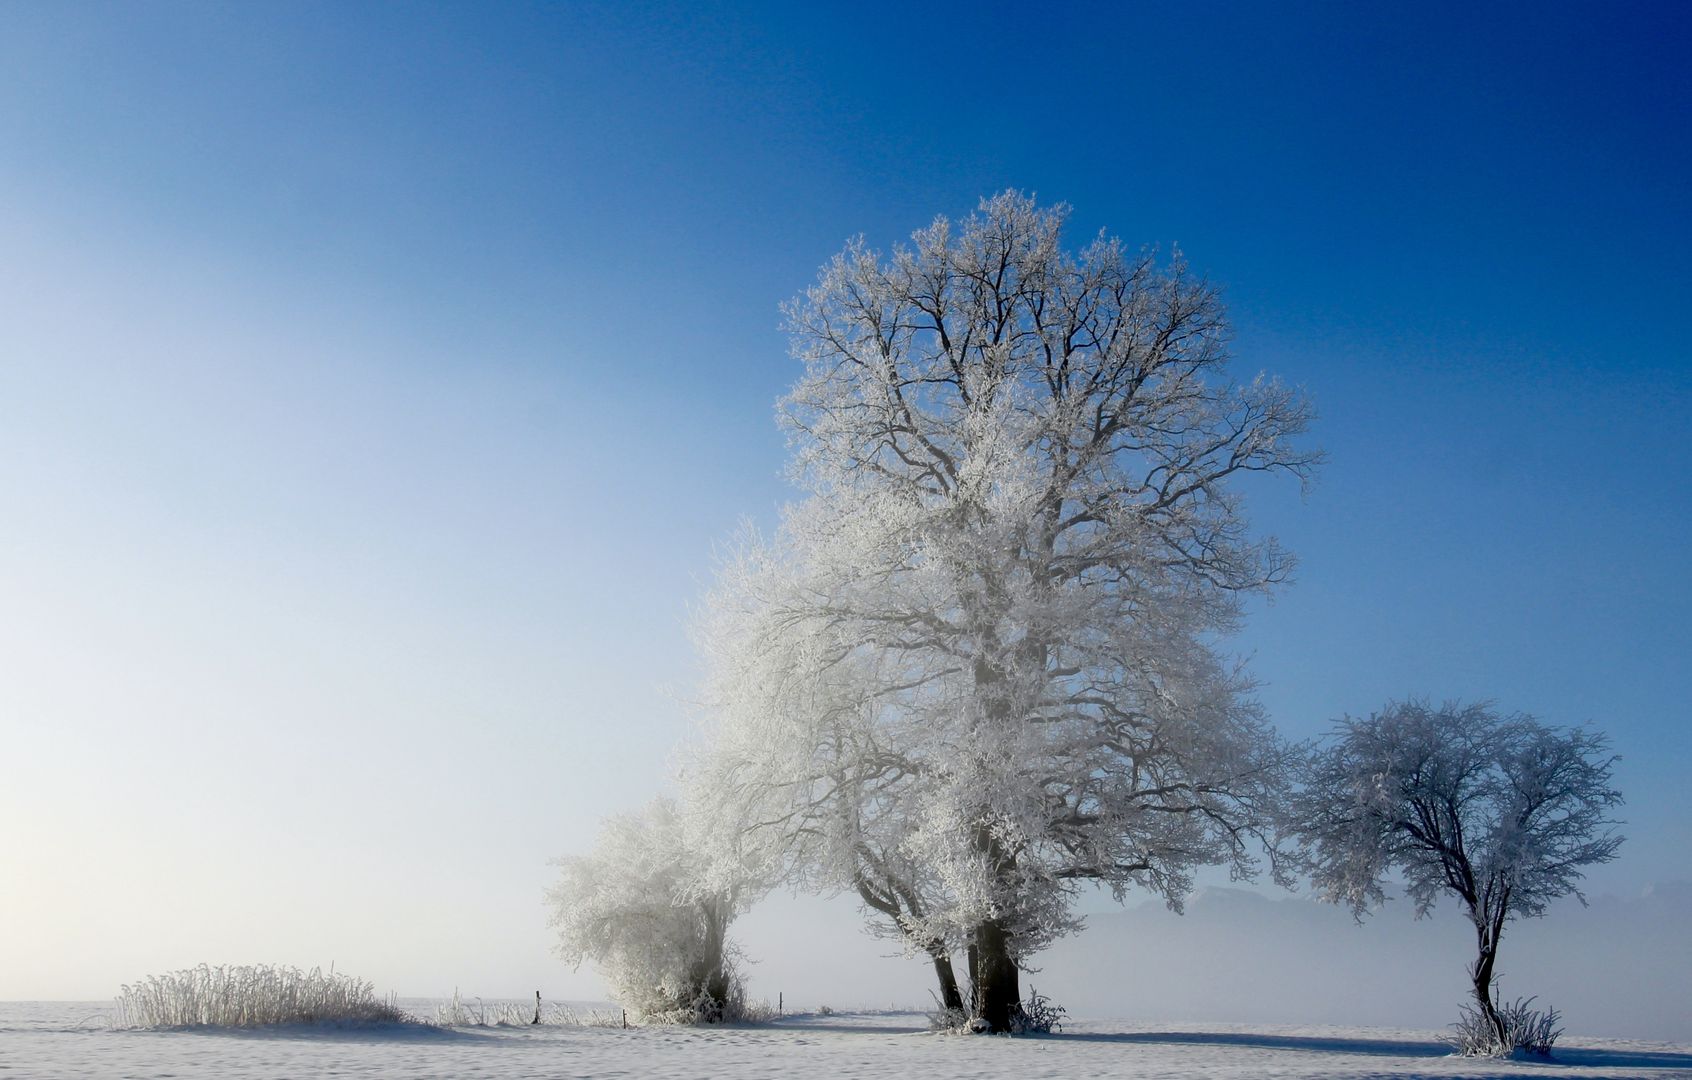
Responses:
[63,1040]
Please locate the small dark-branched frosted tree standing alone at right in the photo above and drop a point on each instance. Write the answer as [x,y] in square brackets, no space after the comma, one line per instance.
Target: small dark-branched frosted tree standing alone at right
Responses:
[1497,810]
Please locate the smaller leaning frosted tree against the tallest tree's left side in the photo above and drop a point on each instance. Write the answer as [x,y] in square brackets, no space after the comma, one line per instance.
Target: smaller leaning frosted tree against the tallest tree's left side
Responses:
[798,785]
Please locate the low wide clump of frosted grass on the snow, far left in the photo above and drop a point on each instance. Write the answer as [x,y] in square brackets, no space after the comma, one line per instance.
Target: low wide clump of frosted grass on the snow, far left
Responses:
[253,998]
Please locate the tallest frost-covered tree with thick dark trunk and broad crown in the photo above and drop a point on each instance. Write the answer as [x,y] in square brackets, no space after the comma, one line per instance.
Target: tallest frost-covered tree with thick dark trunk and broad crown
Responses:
[977,666]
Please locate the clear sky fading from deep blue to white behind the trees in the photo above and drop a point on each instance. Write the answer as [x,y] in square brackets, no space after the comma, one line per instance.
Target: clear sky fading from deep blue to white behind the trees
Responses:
[375,382]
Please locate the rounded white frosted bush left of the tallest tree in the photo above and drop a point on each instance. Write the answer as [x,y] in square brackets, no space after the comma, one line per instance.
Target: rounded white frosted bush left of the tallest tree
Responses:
[640,912]
